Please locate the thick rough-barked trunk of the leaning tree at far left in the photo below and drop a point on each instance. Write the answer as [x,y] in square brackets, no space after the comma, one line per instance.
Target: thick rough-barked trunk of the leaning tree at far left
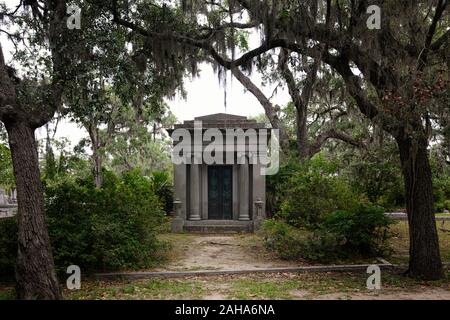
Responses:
[35,273]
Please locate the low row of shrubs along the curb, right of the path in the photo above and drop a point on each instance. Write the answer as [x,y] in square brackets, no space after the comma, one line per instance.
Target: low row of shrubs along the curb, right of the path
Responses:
[363,231]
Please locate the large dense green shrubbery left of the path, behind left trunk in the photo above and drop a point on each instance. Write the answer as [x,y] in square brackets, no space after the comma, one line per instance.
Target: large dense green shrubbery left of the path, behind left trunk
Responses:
[110,228]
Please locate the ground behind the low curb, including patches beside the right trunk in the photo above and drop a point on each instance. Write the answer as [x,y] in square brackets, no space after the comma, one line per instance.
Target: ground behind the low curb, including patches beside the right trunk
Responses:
[246,251]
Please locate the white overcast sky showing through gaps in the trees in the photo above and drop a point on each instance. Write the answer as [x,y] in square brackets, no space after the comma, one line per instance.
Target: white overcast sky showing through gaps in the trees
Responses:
[204,95]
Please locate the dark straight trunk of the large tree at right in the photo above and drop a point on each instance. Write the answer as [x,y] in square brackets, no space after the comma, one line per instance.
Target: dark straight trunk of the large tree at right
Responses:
[424,254]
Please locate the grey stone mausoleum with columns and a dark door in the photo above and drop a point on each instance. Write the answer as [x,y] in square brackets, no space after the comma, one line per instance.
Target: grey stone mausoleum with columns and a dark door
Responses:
[225,196]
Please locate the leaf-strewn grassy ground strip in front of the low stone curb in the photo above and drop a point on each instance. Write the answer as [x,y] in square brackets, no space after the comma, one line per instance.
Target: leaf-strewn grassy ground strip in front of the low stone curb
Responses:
[317,286]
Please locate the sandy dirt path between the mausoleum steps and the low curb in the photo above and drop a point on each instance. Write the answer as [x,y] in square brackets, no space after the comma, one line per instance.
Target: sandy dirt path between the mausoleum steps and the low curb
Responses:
[220,252]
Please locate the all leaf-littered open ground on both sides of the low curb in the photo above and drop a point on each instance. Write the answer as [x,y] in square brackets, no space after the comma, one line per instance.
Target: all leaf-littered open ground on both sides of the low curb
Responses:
[246,251]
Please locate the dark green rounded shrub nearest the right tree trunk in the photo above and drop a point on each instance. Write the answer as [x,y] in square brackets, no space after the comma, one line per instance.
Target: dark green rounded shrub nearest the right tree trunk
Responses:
[365,229]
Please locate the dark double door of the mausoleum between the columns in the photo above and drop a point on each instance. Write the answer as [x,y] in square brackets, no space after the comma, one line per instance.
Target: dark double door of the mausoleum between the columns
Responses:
[220,192]
